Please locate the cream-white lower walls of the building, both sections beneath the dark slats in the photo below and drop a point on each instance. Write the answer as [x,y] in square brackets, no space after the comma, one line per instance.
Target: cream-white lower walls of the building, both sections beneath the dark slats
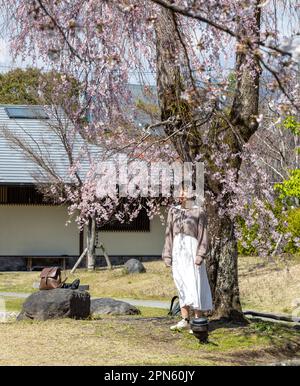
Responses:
[34,230]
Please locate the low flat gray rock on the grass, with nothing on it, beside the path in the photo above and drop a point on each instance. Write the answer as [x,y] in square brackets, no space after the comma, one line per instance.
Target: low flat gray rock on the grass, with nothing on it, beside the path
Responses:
[112,307]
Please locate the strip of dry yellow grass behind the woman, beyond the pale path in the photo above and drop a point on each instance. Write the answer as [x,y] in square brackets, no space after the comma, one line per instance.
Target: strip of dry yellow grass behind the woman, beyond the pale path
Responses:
[265,285]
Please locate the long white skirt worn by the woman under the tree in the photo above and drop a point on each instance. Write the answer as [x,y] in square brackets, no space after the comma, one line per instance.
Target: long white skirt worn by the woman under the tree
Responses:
[191,280]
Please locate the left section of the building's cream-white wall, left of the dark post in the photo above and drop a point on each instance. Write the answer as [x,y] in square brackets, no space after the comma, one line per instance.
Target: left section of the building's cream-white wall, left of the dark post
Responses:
[34,230]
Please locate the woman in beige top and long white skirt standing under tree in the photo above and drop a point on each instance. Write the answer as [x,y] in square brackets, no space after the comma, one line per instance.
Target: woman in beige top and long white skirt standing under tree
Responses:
[185,249]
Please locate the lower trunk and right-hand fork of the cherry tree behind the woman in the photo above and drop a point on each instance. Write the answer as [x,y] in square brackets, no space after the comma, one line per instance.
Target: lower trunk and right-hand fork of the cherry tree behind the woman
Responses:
[223,261]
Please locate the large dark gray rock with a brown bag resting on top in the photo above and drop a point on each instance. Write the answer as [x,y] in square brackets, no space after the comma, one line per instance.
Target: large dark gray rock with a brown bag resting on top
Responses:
[55,304]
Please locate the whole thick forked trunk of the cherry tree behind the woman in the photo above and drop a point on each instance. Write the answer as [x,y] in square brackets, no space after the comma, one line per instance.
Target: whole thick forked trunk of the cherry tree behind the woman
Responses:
[223,260]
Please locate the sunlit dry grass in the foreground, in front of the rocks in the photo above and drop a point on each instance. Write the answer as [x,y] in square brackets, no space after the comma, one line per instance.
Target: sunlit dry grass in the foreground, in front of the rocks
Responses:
[137,341]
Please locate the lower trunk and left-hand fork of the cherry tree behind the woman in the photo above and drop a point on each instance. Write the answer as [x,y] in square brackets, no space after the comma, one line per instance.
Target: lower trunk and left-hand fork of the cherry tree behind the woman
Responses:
[222,263]
